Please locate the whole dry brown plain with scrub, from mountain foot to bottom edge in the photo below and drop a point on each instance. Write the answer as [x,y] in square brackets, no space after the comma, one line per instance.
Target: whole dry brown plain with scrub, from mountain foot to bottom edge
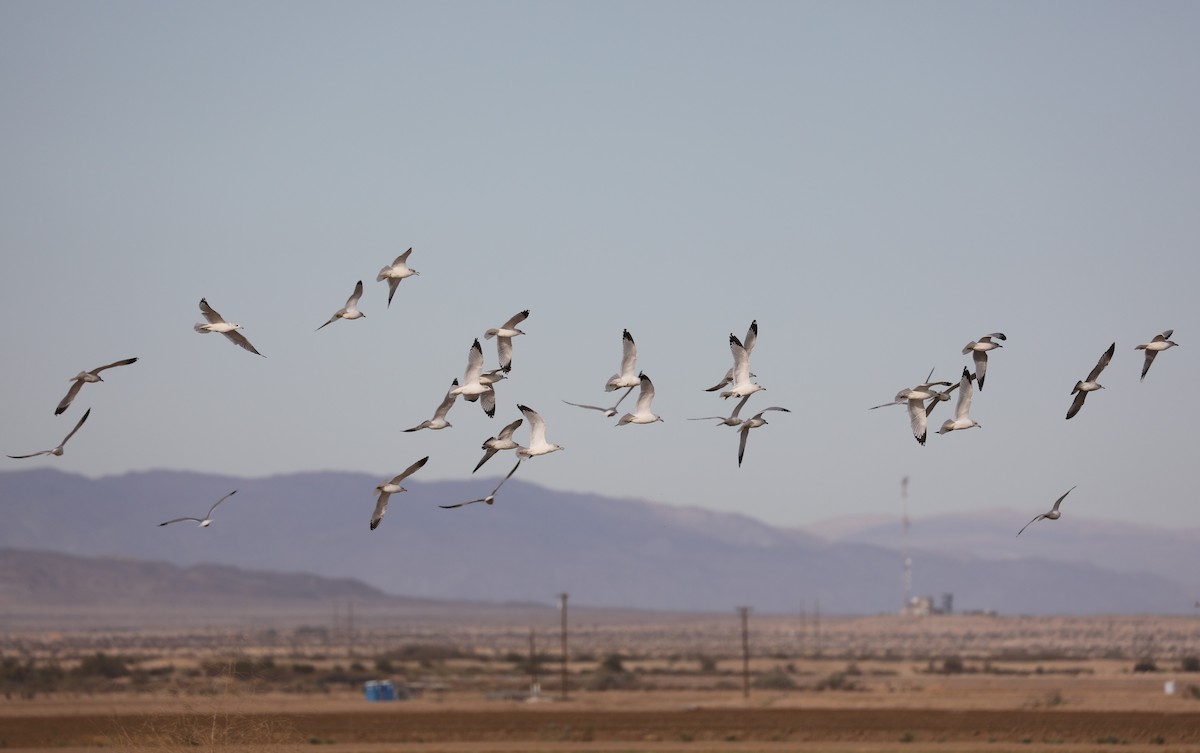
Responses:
[638,682]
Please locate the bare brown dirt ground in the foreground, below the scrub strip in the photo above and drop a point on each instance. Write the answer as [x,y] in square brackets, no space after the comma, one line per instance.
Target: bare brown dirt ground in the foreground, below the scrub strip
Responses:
[961,714]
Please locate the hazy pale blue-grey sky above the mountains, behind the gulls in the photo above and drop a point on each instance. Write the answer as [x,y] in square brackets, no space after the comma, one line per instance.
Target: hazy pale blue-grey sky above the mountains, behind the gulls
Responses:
[875,183]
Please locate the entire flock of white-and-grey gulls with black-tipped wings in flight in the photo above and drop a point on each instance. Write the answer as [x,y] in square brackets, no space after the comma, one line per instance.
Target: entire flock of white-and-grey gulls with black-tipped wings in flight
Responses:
[479,385]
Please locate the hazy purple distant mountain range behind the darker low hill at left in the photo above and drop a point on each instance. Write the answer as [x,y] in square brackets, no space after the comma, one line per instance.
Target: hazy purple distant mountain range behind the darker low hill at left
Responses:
[536,543]
